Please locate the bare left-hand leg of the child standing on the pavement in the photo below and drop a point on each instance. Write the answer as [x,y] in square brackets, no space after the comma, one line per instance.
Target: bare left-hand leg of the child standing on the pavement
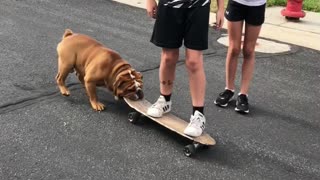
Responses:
[234,49]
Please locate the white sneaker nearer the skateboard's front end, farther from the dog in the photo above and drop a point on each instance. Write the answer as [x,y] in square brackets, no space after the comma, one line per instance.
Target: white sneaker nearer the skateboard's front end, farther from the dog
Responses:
[196,125]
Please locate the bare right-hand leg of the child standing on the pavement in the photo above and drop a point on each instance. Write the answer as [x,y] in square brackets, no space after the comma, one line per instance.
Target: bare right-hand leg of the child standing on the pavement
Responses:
[250,39]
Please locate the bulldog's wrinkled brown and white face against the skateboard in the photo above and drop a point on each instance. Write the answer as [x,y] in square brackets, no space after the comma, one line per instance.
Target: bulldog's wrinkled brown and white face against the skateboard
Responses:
[129,84]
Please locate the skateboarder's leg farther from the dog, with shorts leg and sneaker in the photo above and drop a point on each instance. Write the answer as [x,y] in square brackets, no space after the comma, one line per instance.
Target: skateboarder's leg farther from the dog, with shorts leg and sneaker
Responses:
[196,40]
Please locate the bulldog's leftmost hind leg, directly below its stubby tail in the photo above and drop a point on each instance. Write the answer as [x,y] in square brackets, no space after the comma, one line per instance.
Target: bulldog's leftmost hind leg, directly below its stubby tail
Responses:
[63,70]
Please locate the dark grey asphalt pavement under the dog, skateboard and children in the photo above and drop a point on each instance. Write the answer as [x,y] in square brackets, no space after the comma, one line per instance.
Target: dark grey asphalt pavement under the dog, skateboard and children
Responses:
[44,135]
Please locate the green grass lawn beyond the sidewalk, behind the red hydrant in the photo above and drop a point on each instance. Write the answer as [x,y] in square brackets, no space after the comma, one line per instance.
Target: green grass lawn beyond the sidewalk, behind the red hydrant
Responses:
[308,5]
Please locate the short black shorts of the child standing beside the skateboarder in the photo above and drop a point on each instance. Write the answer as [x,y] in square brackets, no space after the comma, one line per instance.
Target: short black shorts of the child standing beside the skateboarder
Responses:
[253,15]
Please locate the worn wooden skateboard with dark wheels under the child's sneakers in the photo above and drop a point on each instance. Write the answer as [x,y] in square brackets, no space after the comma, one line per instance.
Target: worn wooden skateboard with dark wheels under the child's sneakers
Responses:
[171,122]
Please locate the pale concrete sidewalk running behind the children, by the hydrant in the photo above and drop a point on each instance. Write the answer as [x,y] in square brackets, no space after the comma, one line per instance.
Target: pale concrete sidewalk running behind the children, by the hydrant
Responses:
[305,32]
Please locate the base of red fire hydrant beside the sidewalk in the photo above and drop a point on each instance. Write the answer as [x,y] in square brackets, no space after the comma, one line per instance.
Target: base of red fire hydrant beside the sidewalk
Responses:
[293,10]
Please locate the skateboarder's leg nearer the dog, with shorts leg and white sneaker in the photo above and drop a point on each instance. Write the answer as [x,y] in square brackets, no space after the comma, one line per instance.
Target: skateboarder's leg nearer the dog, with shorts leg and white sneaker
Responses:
[168,34]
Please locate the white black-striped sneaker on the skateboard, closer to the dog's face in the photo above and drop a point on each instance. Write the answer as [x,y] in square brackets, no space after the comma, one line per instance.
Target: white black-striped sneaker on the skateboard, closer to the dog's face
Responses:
[159,108]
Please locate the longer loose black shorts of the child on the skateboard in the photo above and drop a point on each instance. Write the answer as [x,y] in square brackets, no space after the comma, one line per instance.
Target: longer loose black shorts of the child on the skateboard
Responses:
[176,25]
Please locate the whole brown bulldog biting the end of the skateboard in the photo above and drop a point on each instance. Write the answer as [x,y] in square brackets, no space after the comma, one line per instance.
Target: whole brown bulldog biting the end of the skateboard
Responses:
[96,65]
